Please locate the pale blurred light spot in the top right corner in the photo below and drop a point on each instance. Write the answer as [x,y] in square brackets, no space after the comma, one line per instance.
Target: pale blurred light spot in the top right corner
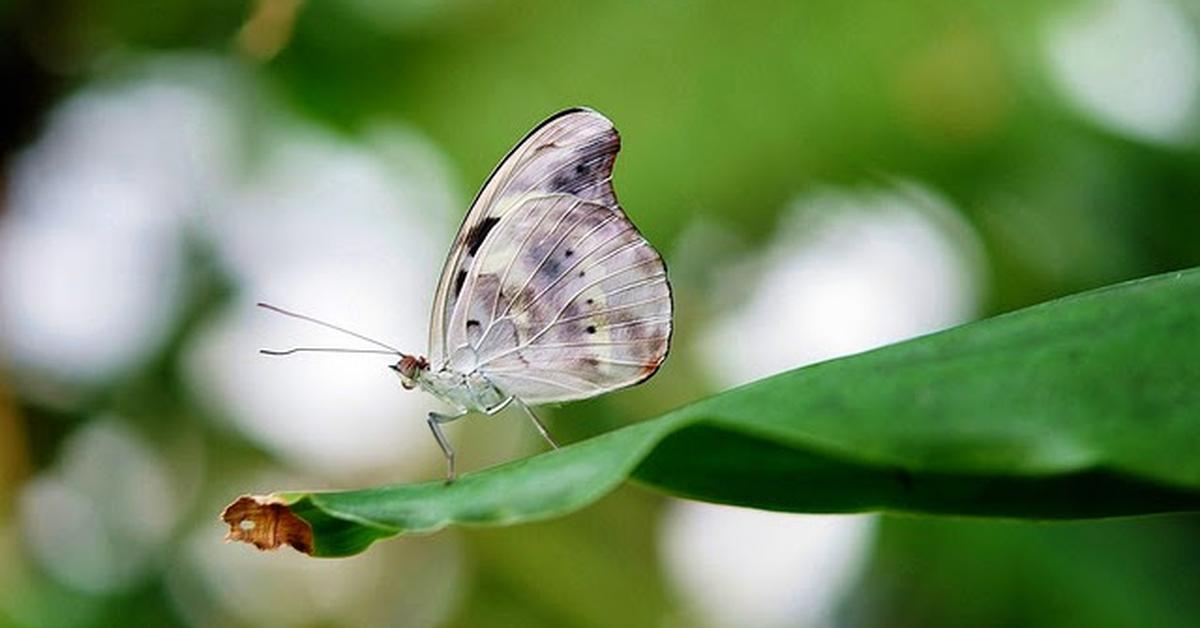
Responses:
[1131,65]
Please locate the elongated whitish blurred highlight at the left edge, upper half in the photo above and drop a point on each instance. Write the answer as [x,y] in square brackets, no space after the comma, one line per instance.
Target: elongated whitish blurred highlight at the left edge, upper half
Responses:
[92,243]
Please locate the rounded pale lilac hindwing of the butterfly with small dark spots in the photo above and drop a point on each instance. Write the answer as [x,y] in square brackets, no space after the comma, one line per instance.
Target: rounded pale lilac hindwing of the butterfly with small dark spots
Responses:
[568,302]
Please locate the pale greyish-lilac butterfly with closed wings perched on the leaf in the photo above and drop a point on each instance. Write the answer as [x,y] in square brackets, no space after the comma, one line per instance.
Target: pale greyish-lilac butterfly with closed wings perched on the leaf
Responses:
[549,294]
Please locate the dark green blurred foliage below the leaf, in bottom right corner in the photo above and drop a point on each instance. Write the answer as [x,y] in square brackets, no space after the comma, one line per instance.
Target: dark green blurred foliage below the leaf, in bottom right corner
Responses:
[1071,575]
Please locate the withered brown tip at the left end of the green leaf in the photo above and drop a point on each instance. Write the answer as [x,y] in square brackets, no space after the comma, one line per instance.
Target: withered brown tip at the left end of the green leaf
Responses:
[267,523]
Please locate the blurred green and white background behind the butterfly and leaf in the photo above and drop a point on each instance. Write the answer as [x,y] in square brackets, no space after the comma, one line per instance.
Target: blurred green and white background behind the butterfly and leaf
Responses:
[823,178]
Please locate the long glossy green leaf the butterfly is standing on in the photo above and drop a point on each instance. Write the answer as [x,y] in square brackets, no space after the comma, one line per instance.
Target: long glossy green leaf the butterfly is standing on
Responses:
[1083,408]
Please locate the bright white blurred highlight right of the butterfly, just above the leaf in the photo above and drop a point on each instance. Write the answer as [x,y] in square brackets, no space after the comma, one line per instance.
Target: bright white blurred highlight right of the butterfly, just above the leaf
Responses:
[850,271]
